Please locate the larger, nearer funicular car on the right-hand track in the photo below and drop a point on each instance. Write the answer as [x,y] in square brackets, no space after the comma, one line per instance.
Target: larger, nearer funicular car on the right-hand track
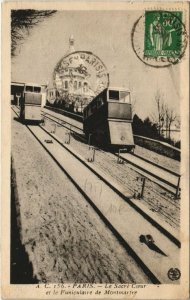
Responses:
[108,119]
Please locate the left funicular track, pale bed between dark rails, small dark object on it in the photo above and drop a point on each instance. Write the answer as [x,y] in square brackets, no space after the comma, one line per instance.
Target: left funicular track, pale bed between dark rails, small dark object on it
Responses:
[116,210]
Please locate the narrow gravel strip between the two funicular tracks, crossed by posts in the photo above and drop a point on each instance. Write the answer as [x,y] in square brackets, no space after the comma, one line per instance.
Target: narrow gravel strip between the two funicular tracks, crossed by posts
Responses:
[161,202]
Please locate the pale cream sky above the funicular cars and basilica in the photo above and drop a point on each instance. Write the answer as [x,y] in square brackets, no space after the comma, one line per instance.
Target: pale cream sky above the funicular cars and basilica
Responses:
[108,35]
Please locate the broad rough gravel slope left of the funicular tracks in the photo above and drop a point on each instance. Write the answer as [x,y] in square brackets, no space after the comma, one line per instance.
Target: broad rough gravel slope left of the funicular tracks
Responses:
[65,239]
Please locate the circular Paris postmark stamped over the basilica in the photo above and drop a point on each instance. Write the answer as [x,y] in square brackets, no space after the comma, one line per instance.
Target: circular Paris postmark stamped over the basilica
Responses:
[83,66]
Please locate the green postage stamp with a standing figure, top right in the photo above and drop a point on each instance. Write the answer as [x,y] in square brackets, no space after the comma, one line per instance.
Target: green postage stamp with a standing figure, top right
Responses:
[163,34]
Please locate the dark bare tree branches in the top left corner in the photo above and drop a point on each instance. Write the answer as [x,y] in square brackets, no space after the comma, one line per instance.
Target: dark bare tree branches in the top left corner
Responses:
[22,20]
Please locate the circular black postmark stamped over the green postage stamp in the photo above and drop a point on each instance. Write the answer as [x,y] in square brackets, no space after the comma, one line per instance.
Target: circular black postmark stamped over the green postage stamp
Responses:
[159,38]
